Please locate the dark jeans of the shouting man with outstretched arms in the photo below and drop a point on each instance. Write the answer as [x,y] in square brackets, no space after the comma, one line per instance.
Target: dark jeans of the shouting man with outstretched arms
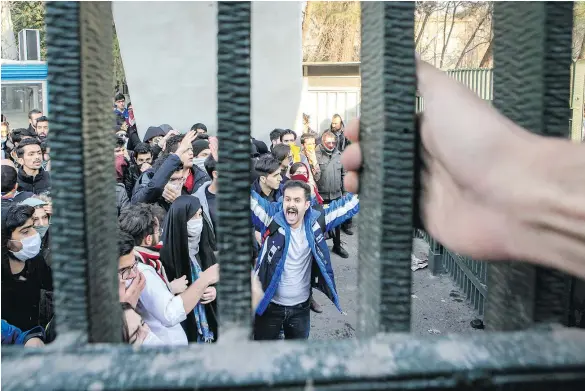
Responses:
[294,320]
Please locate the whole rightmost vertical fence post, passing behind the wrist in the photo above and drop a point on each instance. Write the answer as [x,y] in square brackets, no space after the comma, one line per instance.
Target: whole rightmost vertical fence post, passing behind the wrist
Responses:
[532,49]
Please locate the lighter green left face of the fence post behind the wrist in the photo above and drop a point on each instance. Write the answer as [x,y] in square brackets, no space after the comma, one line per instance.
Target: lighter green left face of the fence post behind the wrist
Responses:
[519,50]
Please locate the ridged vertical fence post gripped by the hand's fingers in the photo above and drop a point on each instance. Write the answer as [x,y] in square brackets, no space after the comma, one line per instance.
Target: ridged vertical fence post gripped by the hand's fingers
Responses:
[388,102]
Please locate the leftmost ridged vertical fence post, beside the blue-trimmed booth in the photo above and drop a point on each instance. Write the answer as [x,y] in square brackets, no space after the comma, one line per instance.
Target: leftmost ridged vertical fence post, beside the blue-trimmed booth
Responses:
[84,240]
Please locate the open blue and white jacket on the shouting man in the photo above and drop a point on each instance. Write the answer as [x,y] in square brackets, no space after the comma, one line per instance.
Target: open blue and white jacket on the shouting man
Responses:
[272,255]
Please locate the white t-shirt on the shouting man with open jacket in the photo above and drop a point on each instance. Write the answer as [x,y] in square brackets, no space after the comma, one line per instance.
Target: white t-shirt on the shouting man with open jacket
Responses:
[295,284]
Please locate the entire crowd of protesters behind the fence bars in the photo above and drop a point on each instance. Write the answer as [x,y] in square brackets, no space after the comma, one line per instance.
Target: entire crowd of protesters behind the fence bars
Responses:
[166,186]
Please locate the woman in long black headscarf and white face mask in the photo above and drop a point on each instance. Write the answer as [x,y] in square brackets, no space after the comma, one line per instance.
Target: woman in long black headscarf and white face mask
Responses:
[179,254]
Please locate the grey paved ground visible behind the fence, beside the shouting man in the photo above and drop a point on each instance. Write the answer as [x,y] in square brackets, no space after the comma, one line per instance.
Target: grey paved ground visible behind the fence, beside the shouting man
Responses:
[439,307]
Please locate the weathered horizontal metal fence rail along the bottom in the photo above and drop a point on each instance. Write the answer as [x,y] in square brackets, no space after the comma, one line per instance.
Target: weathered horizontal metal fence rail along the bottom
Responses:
[540,360]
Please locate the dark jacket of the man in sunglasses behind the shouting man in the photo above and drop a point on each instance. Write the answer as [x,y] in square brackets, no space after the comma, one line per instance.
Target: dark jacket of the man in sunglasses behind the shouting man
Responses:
[330,178]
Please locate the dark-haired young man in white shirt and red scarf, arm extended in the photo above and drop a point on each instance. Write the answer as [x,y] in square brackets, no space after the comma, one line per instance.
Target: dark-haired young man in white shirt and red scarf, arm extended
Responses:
[162,304]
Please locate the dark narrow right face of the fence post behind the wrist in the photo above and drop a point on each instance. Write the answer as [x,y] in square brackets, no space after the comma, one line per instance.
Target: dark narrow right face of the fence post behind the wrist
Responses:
[552,286]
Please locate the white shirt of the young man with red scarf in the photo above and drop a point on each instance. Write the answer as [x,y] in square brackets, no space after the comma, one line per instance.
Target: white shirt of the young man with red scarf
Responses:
[162,311]
